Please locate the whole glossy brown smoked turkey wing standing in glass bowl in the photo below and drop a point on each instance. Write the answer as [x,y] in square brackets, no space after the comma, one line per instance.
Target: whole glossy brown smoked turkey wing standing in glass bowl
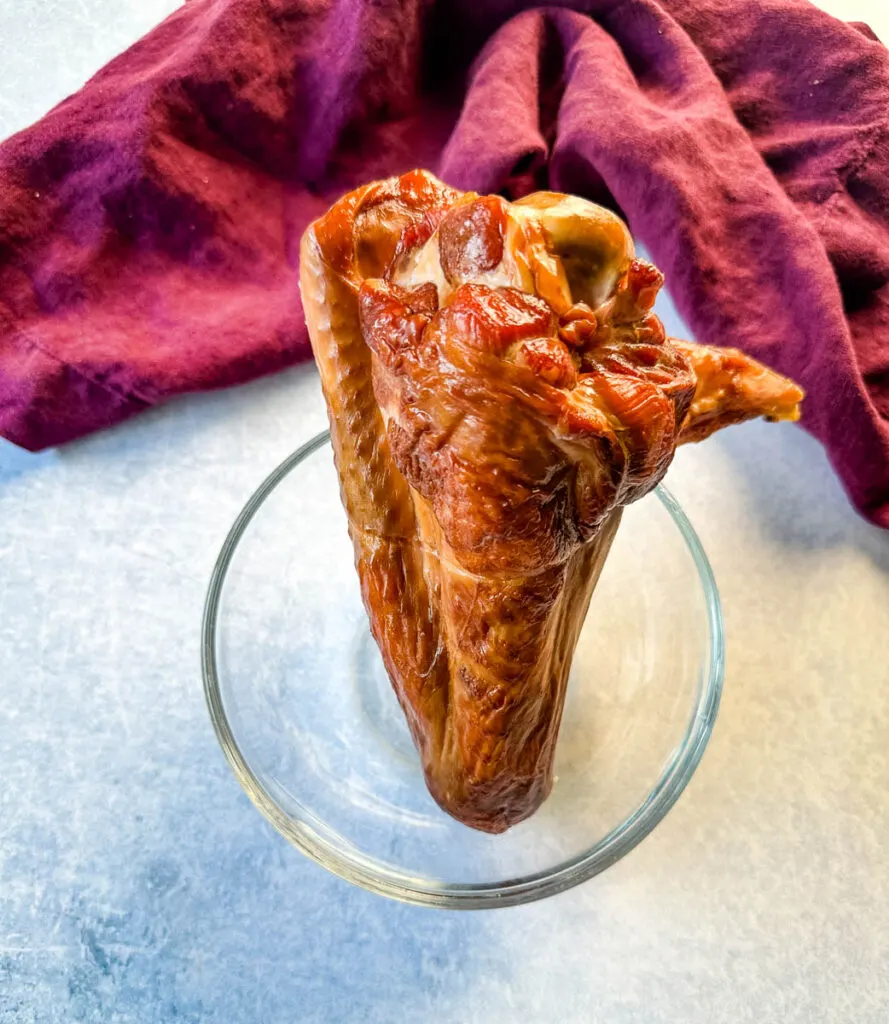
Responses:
[498,390]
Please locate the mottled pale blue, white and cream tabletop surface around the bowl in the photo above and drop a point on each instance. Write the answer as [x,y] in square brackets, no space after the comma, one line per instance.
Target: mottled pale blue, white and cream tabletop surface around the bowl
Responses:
[139,884]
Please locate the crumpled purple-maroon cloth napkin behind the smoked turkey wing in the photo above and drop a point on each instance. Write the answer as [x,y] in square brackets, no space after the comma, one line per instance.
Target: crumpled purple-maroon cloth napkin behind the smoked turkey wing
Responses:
[150,225]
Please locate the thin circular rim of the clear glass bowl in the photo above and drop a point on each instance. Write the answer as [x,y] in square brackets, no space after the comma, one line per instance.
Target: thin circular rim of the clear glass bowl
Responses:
[348,863]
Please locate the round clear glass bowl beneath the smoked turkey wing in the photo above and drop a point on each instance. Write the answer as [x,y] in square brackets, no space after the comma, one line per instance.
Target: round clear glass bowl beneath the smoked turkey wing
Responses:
[308,719]
